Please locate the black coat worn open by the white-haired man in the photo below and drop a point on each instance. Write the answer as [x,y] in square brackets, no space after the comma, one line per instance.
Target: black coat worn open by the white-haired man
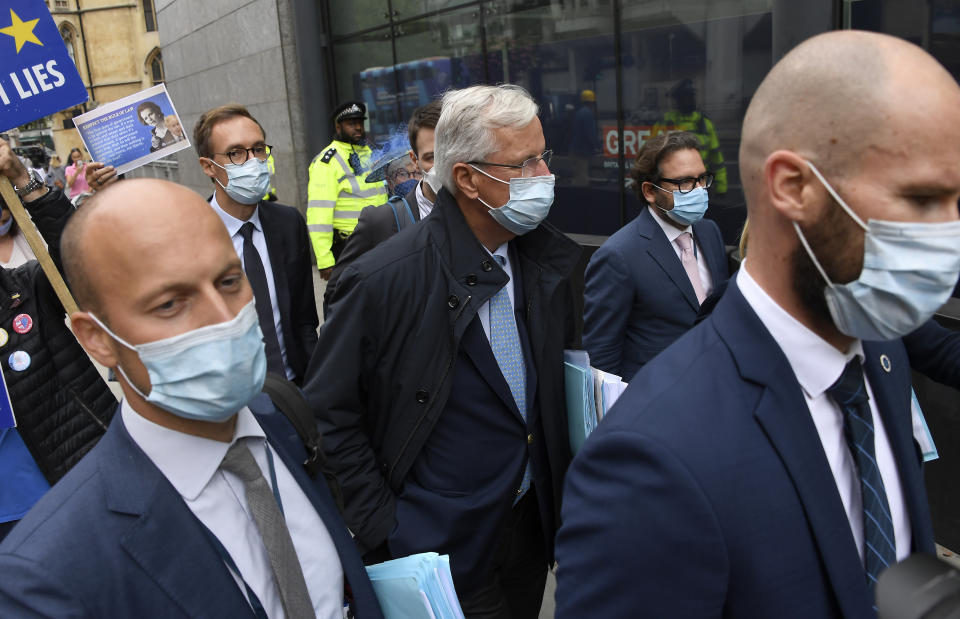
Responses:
[381,374]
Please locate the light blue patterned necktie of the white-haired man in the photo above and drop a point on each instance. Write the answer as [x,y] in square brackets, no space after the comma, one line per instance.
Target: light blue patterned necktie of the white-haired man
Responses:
[505,342]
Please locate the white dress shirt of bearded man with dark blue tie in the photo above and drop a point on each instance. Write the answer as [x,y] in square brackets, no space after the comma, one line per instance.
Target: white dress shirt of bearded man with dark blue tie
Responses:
[817,365]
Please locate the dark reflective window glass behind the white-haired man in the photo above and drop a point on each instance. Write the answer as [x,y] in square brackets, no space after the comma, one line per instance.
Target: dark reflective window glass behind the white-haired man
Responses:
[691,65]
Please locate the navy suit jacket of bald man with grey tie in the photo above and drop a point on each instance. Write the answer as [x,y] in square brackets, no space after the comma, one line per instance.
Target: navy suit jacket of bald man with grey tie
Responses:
[114,539]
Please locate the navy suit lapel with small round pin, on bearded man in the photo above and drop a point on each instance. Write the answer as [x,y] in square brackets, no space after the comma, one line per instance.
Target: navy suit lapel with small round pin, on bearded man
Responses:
[891,390]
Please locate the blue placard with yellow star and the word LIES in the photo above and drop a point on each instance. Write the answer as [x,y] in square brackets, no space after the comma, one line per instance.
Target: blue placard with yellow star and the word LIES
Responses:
[37,77]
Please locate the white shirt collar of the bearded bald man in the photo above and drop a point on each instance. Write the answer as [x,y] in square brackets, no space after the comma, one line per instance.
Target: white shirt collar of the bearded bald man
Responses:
[815,362]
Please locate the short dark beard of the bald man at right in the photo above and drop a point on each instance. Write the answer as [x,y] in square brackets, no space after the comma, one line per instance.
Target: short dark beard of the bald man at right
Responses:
[831,241]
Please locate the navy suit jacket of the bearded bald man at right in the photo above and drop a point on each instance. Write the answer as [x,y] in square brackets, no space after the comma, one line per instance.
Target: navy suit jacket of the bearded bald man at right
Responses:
[706,491]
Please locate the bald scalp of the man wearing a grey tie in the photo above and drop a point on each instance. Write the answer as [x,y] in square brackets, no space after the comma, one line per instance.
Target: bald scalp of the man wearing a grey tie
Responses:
[124,223]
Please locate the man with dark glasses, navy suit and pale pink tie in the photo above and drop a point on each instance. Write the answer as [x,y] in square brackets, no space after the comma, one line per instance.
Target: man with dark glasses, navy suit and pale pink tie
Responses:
[644,286]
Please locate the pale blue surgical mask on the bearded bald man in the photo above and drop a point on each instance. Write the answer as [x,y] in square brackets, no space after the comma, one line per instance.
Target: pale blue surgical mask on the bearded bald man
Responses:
[909,271]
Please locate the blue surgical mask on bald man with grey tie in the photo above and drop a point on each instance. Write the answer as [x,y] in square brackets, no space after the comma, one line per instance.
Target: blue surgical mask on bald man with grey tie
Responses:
[206,374]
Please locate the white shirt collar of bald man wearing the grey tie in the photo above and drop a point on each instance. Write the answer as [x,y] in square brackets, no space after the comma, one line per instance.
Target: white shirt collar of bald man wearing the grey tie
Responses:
[188,462]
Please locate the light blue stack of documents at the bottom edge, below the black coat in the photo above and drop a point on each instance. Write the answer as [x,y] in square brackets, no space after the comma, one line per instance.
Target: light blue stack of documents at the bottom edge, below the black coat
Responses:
[416,587]
